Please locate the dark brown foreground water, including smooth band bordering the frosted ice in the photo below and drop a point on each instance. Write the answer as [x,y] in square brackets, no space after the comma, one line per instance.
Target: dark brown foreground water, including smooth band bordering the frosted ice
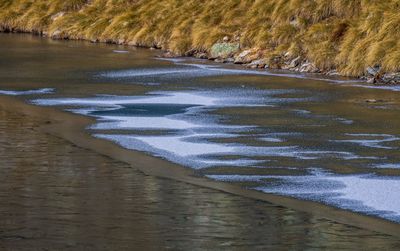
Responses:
[58,195]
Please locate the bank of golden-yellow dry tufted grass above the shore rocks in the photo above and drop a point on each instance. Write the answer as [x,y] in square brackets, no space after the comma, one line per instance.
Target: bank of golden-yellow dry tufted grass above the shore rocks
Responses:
[346,35]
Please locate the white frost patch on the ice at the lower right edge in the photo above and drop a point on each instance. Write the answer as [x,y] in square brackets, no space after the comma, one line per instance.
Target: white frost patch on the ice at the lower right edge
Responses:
[370,194]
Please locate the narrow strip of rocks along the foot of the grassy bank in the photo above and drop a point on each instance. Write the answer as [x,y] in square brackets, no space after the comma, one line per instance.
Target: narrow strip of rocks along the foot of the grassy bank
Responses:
[373,75]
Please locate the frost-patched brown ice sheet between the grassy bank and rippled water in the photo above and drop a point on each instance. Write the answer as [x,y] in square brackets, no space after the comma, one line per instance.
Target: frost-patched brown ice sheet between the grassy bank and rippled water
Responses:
[335,142]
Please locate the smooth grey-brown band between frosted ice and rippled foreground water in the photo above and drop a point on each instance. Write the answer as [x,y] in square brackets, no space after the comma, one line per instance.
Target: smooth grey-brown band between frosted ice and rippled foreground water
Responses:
[71,127]
